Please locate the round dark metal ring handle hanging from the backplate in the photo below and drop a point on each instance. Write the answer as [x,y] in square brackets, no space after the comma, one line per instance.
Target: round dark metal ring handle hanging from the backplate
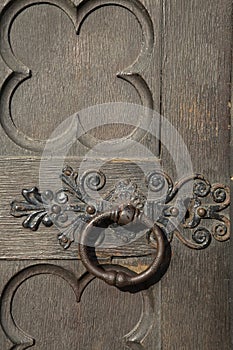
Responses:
[122,216]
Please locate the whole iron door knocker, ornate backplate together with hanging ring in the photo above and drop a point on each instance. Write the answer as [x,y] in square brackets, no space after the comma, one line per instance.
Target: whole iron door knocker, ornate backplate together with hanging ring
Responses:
[69,209]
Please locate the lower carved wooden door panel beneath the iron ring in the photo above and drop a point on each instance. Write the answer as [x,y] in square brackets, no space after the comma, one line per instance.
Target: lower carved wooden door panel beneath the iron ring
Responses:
[44,307]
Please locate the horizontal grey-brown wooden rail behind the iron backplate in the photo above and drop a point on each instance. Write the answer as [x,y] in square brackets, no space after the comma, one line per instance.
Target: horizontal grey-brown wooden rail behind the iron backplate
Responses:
[20,243]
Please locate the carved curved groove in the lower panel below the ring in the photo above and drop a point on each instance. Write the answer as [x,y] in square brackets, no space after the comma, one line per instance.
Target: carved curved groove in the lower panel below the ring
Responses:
[23,341]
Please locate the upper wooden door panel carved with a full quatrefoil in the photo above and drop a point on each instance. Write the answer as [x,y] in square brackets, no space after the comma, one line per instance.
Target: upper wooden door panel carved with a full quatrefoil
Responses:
[66,72]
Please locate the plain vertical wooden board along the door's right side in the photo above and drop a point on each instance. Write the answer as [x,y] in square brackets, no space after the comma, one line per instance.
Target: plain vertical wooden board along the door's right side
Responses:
[195,99]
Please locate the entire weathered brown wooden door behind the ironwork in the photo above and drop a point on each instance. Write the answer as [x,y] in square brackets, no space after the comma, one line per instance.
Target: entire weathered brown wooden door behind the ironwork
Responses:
[59,57]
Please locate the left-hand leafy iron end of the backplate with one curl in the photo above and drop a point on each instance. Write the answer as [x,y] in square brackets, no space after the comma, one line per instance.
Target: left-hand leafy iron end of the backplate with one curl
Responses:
[67,208]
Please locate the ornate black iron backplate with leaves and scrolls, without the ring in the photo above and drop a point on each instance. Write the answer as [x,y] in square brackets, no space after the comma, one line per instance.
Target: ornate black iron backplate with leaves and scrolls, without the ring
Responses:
[176,211]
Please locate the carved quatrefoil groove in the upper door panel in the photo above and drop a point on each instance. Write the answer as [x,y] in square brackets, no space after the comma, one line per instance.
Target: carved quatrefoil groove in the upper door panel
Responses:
[77,15]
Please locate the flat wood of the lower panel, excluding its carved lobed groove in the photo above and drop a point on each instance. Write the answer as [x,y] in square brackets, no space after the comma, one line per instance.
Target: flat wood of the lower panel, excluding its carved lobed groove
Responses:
[44,306]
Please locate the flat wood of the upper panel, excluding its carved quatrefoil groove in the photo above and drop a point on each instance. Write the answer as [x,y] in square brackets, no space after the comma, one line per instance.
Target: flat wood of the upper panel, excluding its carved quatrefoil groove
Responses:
[71,72]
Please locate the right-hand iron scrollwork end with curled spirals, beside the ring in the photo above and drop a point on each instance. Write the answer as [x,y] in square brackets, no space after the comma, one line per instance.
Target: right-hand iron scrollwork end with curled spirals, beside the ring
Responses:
[190,211]
